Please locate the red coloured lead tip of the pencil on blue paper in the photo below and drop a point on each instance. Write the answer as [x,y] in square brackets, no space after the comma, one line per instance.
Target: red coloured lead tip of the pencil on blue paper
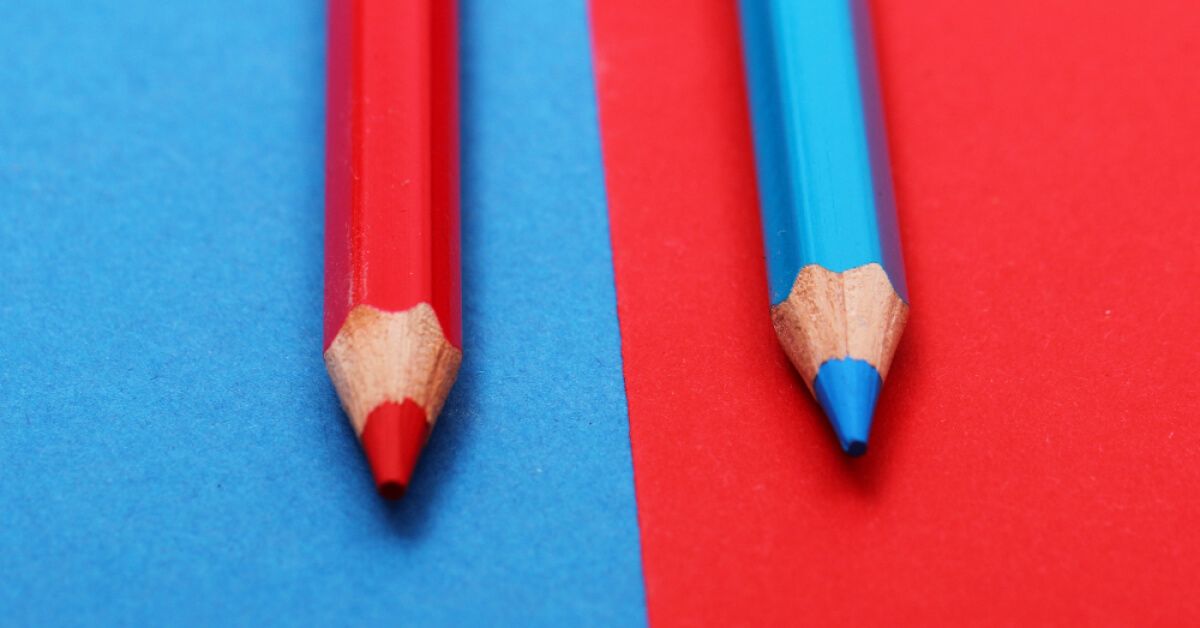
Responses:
[393,439]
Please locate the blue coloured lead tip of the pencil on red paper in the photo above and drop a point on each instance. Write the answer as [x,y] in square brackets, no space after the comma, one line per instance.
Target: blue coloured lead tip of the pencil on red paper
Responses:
[848,391]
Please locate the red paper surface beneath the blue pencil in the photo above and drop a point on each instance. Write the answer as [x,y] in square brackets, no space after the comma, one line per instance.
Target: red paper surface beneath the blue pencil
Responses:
[1036,454]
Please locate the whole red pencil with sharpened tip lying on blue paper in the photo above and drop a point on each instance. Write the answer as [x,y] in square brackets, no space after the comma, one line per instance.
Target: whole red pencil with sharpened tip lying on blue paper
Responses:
[393,298]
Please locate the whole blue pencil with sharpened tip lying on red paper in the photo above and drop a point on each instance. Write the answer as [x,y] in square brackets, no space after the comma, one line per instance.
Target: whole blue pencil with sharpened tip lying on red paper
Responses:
[839,301]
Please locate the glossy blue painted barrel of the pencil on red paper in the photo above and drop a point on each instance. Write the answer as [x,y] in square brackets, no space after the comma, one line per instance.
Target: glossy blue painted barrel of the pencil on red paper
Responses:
[821,154]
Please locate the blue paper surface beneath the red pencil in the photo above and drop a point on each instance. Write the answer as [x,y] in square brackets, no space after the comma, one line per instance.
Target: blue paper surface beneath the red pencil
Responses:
[171,448]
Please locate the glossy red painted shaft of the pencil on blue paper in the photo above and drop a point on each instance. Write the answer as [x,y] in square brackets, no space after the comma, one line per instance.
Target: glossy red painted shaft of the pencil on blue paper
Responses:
[393,160]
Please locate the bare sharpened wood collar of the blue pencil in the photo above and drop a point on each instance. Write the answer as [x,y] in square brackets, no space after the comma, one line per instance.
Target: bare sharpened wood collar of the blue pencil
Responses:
[856,314]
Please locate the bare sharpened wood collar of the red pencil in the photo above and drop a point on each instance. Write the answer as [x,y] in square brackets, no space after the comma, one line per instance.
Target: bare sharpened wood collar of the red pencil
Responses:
[381,357]
